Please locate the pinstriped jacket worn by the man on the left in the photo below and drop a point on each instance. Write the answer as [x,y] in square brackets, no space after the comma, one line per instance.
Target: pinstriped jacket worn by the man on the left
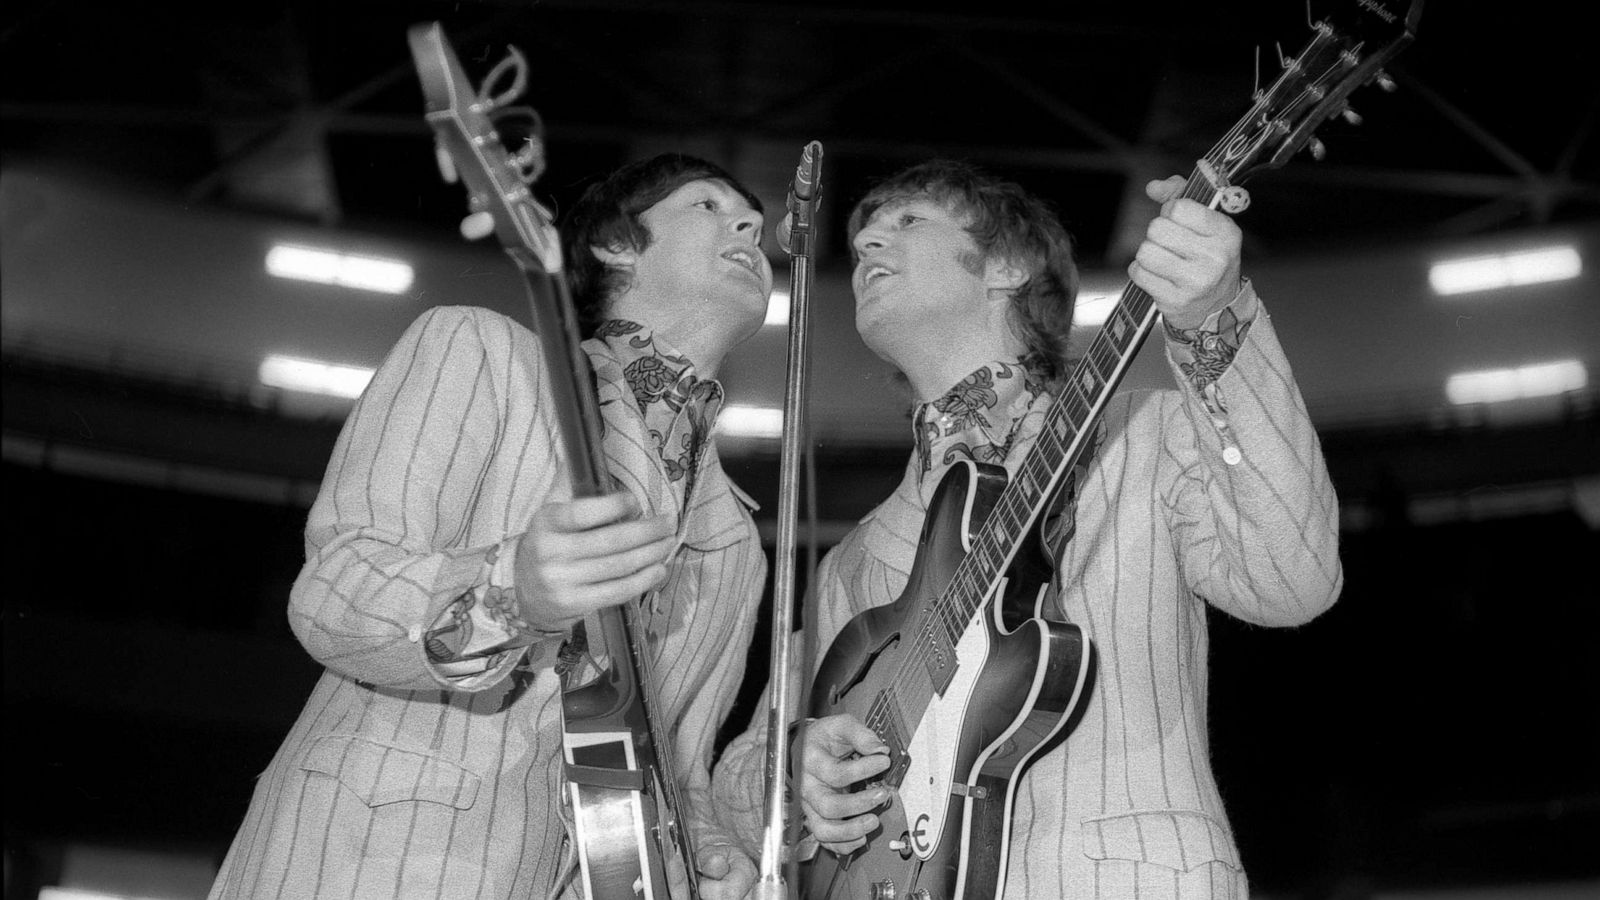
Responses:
[399,781]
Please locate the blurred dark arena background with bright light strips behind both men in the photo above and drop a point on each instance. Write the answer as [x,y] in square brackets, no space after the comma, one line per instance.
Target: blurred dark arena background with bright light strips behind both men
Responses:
[174,382]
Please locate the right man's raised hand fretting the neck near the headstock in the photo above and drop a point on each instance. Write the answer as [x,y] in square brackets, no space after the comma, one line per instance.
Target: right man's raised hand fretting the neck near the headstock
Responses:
[1190,259]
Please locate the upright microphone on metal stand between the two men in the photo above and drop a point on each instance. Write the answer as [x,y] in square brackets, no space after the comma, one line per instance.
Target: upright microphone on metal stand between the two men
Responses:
[794,235]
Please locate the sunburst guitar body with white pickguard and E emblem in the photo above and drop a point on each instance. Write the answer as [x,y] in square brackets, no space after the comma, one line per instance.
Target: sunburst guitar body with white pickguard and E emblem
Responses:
[956,765]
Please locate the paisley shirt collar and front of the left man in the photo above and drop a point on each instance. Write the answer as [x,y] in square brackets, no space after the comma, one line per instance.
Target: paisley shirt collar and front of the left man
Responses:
[678,406]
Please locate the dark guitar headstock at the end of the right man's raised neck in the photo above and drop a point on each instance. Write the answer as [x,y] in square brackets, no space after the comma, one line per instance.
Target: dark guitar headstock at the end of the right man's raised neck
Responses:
[1346,52]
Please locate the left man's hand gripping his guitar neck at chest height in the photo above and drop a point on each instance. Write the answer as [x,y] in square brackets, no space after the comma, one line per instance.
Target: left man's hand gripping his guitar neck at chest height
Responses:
[590,553]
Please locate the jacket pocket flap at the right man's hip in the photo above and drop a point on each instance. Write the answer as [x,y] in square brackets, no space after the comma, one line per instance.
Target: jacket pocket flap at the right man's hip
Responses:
[1175,838]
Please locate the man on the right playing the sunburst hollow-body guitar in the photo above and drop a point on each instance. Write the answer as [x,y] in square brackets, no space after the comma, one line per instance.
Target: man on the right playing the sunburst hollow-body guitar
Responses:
[1214,492]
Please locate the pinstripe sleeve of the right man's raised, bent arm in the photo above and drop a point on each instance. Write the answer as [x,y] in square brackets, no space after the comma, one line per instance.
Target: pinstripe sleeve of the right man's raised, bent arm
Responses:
[1257,539]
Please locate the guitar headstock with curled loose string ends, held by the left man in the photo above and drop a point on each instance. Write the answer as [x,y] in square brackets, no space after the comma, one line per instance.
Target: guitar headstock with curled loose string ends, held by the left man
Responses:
[470,147]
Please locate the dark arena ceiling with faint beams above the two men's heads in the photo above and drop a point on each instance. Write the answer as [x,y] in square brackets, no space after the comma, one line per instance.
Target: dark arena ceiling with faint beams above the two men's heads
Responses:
[313,110]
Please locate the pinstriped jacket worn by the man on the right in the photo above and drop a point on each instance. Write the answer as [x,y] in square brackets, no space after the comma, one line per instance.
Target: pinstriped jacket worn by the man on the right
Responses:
[1129,805]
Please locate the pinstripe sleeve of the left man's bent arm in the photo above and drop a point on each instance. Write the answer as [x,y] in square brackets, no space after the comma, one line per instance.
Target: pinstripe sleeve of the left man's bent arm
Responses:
[383,537]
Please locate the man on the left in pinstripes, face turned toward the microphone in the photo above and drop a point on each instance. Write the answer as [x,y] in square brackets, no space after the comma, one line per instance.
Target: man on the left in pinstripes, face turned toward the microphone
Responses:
[447,560]
